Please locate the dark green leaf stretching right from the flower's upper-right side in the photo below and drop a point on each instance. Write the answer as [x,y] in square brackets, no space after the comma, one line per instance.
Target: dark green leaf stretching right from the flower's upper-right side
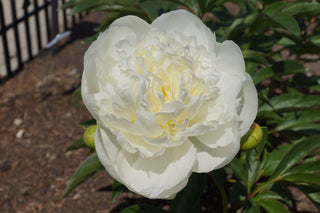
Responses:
[278,69]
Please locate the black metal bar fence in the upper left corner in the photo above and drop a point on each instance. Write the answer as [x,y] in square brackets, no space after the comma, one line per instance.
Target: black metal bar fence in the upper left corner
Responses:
[26,26]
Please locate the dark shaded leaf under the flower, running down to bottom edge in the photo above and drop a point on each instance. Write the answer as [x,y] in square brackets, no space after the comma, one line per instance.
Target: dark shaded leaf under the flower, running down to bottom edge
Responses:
[185,199]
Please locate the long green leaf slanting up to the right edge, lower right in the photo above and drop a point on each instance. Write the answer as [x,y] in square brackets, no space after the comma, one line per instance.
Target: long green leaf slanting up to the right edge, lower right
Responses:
[298,152]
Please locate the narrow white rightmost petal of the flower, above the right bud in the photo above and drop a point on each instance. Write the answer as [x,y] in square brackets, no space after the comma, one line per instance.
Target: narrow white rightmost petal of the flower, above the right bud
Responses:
[250,105]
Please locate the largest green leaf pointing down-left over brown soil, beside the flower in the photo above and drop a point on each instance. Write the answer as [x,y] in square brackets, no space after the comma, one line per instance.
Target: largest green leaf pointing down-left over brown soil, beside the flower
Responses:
[86,169]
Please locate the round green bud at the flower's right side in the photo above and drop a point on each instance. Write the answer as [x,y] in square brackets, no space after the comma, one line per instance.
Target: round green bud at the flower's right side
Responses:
[252,138]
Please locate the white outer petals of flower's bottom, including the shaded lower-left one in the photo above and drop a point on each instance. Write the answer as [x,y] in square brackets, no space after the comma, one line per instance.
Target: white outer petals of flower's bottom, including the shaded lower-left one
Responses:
[156,177]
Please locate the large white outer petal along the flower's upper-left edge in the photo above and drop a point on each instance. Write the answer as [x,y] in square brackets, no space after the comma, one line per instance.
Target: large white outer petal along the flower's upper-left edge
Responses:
[104,49]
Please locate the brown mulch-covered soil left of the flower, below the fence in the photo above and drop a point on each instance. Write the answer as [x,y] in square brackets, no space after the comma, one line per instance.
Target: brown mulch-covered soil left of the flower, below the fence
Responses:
[38,122]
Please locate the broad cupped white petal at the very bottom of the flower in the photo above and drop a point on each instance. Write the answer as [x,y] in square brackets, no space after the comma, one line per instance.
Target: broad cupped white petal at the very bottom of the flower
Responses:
[157,177]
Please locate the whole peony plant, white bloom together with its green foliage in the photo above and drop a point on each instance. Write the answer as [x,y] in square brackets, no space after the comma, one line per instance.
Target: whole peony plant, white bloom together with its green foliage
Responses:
[173,91]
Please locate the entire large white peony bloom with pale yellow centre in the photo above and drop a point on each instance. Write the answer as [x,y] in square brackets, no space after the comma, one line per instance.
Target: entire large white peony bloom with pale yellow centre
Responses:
[168,99]
